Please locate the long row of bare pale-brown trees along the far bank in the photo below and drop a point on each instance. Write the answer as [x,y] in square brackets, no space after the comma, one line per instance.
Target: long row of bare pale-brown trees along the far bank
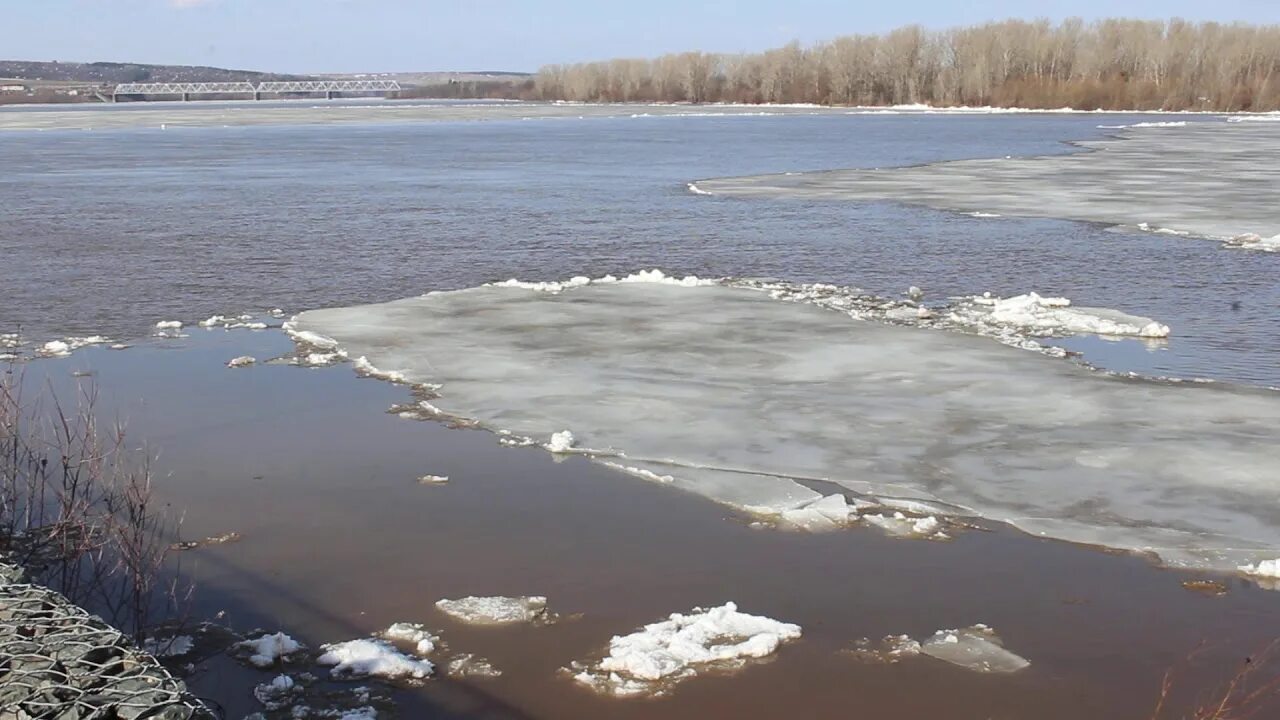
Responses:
[1108,65]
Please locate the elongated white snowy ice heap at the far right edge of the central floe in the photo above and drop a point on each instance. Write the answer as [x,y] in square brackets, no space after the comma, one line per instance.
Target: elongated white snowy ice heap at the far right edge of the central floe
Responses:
[1039,316]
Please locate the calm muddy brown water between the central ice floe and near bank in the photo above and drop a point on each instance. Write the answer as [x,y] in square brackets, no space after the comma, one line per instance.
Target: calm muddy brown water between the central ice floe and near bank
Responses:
[340,541]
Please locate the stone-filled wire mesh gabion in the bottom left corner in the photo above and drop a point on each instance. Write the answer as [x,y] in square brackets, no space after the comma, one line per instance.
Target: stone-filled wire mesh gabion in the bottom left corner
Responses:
[58,662]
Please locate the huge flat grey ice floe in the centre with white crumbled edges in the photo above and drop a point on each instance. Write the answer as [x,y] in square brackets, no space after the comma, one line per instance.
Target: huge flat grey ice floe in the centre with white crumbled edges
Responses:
[757,395]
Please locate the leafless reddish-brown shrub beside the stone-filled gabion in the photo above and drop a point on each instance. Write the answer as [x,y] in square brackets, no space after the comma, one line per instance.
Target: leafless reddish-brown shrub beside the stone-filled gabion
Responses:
[77,509]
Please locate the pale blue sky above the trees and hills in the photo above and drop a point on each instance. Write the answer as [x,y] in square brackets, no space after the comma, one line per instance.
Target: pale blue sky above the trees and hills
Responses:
[314,37]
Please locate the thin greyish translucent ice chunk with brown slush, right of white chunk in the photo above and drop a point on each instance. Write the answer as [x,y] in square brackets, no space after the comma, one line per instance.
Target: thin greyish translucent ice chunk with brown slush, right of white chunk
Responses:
[977,649]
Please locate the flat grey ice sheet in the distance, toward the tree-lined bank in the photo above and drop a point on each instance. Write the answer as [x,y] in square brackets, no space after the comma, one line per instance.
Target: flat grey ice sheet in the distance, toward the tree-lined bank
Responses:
[1213,180]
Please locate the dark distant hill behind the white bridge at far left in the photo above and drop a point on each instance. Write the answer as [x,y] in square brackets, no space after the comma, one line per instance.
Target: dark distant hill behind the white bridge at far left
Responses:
[115,74]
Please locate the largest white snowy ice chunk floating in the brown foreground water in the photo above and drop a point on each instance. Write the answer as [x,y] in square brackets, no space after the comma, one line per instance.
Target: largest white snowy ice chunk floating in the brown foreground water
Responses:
[653,659]
